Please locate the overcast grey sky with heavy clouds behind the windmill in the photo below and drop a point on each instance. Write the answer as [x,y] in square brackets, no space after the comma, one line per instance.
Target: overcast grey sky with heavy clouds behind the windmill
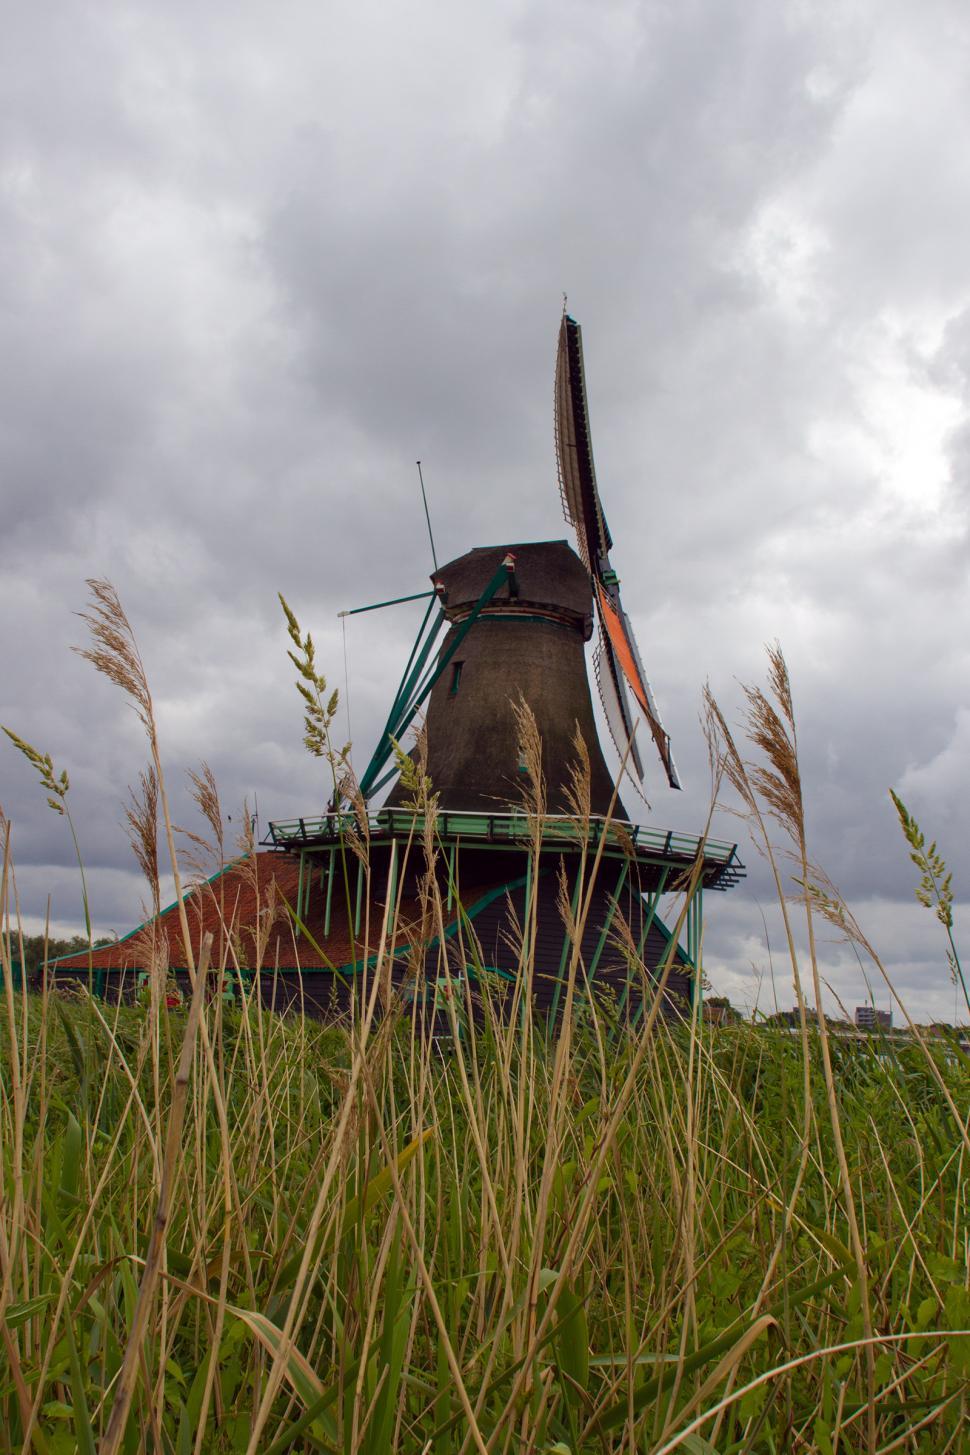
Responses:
[258,260]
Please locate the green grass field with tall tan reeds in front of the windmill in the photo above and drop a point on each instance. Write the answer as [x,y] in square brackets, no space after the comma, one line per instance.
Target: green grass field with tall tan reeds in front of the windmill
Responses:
[229,1232]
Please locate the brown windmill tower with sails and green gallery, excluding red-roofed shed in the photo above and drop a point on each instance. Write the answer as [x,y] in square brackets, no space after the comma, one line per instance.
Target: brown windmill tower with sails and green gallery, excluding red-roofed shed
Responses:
[510,623]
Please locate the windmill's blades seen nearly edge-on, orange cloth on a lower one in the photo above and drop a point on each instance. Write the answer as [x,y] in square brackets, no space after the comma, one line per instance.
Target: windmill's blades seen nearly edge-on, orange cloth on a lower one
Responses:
[617,660]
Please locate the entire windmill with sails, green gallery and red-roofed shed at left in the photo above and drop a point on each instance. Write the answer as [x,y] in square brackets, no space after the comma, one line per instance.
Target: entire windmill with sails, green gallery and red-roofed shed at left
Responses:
[504,625]
